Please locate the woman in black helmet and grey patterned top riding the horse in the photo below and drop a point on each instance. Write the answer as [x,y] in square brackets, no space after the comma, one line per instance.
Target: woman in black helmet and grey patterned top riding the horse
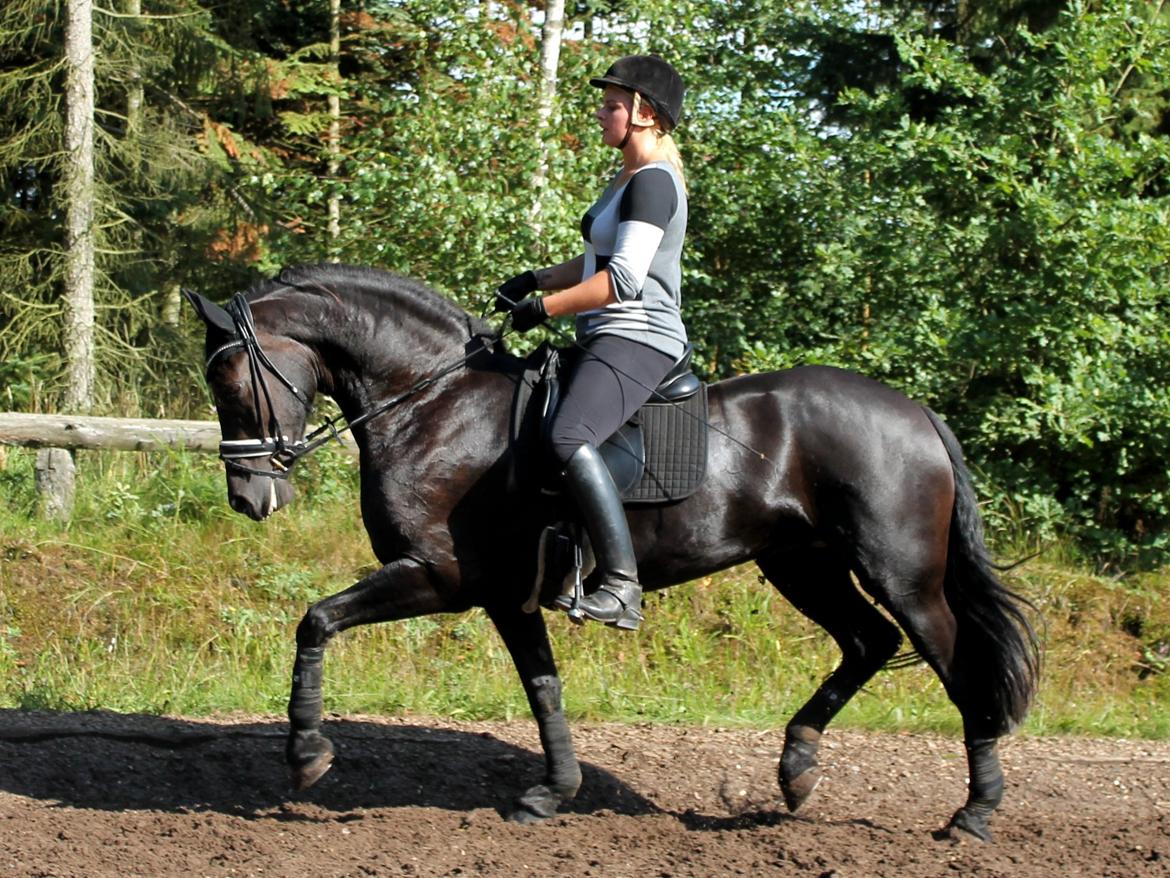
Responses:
[625,293]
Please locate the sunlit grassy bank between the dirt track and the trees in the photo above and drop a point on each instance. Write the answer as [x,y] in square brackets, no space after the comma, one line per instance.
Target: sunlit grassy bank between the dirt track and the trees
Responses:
[157,599]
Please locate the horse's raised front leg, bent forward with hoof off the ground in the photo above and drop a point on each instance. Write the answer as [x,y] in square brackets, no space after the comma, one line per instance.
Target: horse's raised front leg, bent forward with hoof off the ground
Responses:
[400,591]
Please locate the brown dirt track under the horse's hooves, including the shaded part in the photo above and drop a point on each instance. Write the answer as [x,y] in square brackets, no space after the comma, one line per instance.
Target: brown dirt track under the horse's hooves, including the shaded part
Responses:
[97,794]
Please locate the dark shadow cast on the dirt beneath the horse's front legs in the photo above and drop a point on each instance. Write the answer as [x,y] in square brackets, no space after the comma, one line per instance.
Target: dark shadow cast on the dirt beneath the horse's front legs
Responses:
[135,763]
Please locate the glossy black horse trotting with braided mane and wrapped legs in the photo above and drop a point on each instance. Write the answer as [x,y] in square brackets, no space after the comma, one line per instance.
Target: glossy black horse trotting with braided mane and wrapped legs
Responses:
[849,479]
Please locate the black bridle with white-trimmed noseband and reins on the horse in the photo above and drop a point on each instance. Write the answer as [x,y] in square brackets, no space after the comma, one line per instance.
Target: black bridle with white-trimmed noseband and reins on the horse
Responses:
[277,448]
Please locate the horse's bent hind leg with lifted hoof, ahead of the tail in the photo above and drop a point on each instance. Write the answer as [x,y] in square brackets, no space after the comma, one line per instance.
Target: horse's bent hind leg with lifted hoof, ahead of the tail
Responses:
[820,587]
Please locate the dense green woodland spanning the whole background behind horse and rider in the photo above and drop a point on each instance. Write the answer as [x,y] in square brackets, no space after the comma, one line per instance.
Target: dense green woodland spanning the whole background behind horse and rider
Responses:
[967,203]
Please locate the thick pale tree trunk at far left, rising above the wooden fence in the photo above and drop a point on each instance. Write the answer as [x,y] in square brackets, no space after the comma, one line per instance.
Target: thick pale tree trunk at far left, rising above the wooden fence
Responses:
[78,177]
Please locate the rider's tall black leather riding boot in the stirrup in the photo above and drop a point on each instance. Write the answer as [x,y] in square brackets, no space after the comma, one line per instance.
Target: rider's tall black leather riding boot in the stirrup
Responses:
[618,601]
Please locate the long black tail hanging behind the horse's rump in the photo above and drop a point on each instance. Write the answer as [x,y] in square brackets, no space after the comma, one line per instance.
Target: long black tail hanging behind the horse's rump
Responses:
[997,654]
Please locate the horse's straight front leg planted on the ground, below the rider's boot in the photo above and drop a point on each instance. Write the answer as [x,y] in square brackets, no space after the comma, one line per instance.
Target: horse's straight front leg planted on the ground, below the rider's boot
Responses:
[527,640]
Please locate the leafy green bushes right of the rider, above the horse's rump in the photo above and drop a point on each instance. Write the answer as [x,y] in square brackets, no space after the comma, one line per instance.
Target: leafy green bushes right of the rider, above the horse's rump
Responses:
[990,241]
